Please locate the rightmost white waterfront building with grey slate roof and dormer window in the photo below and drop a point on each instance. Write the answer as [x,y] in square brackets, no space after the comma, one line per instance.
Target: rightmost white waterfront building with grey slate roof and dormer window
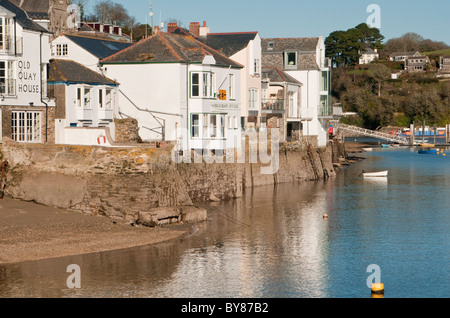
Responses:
[304,59]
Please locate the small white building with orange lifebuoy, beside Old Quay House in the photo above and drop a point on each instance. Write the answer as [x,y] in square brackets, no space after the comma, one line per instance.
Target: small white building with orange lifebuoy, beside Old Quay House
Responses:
[85,102]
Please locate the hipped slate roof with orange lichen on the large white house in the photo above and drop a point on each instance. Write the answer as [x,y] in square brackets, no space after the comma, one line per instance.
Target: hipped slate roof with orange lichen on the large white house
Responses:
[169,47]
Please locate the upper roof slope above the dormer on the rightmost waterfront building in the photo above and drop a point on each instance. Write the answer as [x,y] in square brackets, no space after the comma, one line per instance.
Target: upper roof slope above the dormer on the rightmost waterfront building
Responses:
[283,44]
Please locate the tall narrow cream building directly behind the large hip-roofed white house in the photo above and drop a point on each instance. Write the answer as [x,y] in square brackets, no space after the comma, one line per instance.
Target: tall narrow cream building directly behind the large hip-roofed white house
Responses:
[244,48]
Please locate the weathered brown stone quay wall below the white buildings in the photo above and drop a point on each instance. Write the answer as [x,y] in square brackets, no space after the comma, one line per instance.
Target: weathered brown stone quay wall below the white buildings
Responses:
[143,184]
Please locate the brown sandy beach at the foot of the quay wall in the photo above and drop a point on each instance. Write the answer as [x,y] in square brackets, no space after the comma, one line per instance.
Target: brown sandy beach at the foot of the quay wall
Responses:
[29,231]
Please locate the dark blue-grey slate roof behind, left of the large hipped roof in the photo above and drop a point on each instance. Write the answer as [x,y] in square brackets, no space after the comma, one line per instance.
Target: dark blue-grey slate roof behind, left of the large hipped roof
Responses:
[97,46]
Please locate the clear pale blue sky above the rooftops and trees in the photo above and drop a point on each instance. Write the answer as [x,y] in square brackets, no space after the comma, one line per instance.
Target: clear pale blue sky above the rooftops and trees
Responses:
[299,18]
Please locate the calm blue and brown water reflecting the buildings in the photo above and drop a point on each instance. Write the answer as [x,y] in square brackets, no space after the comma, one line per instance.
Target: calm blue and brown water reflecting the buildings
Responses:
[275,243]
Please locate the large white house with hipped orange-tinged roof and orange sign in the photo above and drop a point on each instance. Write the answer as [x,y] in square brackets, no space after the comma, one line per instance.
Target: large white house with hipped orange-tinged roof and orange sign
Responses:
[179,90]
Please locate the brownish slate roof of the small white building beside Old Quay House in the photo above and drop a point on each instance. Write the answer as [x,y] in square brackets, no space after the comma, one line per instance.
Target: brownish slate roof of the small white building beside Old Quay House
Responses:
[72,72]
